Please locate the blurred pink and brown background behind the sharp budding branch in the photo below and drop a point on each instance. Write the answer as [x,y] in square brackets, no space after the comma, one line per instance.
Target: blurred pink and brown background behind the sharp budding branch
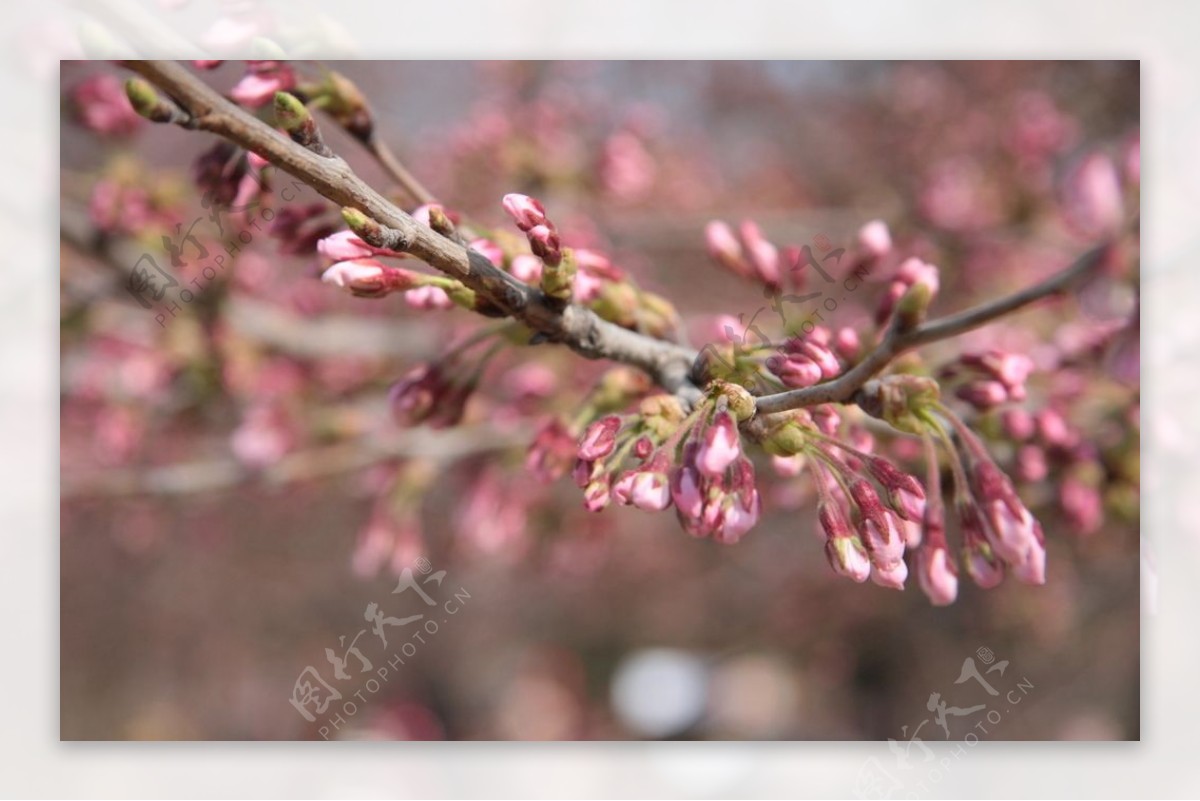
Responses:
[223,468]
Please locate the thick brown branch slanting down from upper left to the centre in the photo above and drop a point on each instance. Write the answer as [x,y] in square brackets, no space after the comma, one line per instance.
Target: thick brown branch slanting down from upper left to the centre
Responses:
[575,327]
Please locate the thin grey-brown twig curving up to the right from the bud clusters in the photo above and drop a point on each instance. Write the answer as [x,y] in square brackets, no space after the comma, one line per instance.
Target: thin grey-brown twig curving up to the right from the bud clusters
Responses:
[843,389]
